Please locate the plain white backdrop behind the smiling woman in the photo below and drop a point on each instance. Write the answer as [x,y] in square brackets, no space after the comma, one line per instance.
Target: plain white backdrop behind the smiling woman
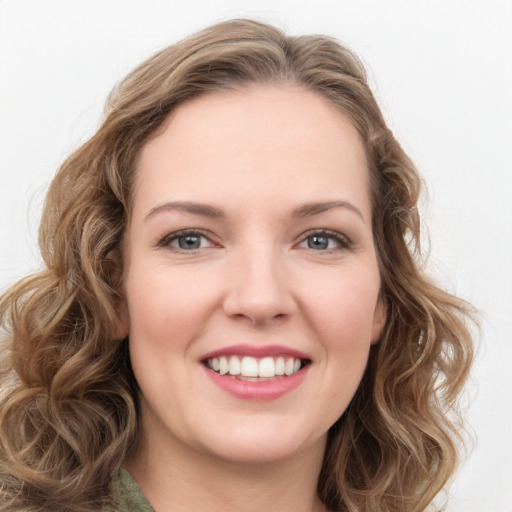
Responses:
[442,72]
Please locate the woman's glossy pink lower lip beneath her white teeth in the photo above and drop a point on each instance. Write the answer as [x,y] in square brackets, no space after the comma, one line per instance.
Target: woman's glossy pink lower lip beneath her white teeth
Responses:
[257,390]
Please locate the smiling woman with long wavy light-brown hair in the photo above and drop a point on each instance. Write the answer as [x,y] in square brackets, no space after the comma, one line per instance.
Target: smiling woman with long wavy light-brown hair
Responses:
[234,315]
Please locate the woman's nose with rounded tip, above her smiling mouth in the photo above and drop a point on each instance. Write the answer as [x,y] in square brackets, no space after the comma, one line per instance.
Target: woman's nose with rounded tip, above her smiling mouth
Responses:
[259,288]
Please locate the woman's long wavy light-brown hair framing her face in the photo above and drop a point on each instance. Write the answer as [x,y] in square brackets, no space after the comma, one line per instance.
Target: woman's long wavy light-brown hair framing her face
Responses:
[69,411]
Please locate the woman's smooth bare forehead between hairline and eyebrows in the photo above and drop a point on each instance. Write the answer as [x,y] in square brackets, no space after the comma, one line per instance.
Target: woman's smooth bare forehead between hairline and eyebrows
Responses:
[265,142]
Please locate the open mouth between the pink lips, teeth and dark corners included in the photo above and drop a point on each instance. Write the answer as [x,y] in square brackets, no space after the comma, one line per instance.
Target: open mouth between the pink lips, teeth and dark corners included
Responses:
[256,369]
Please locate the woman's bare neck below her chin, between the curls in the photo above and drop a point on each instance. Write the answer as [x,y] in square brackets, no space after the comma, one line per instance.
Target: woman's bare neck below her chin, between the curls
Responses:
[183,479]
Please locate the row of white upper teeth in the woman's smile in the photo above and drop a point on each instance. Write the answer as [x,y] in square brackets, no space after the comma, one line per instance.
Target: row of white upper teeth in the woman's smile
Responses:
[248,366]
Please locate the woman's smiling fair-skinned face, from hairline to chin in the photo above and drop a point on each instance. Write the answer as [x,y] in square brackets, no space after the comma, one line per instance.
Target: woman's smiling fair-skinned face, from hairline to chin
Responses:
[251,279]
